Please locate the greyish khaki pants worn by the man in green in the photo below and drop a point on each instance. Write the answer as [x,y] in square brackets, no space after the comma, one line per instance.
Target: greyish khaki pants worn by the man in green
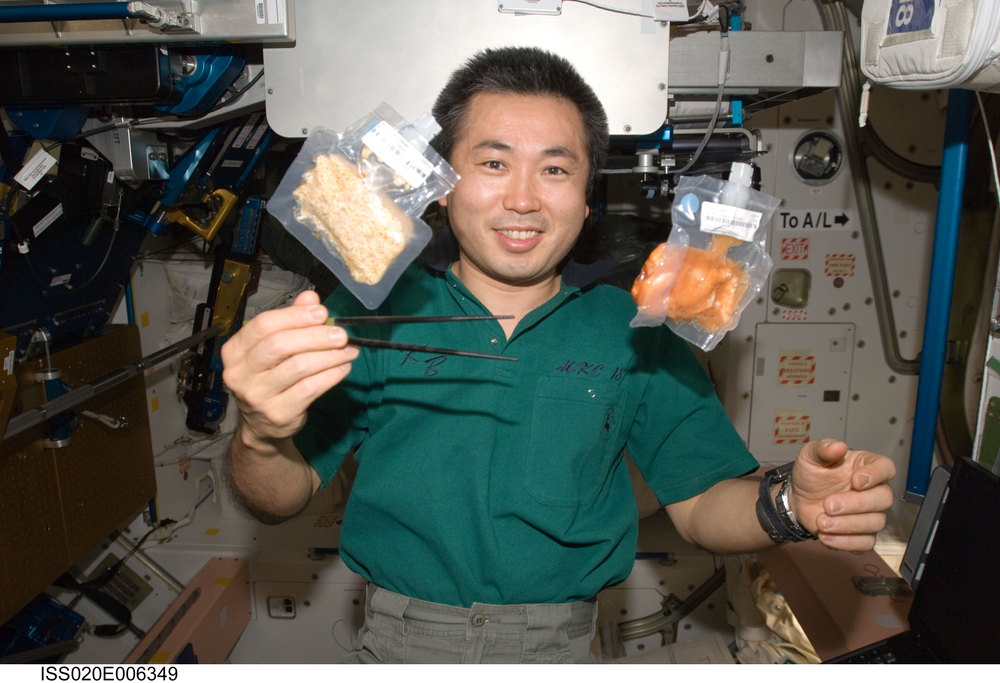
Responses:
[402,630]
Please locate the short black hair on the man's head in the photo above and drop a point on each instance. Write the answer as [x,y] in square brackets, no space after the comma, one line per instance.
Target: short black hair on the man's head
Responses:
[521,71]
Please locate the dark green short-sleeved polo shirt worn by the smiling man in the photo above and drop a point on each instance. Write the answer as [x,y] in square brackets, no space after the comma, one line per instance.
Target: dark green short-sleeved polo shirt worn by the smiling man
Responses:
[504,482]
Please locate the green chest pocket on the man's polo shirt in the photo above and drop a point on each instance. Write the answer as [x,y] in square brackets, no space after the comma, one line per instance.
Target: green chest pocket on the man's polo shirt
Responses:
[575,425]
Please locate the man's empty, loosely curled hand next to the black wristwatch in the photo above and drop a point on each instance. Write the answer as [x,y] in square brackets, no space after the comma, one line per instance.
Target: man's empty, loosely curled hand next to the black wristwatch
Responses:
[841,495]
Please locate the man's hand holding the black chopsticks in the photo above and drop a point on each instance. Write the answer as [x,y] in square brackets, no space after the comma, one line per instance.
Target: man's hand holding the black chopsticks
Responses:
[279,363]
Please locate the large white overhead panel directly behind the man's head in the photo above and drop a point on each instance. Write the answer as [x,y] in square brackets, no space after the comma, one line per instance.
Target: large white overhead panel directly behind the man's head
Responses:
[349,56]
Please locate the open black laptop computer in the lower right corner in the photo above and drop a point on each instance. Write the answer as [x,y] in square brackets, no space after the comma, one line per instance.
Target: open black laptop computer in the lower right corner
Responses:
[955,615]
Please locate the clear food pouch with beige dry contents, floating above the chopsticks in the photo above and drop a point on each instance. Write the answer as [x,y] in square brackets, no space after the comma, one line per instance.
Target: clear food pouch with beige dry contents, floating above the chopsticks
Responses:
[355,198]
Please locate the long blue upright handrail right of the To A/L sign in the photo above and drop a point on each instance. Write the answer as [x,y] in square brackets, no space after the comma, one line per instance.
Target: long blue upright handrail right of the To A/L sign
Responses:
[932,355]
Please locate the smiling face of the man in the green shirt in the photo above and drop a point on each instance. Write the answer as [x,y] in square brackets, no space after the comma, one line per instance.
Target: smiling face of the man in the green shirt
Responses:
[521,202]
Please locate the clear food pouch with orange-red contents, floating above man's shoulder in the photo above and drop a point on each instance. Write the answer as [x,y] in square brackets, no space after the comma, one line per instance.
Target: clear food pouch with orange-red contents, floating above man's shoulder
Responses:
[715,262]
